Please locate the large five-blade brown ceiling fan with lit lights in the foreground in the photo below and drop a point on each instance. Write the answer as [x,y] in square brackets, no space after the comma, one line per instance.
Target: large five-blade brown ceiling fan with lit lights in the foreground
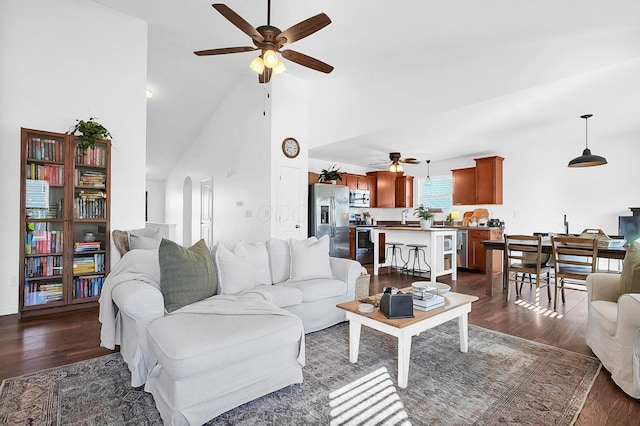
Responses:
[269,40]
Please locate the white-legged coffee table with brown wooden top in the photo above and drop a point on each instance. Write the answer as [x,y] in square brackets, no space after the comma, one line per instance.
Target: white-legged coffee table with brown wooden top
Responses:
[456,305]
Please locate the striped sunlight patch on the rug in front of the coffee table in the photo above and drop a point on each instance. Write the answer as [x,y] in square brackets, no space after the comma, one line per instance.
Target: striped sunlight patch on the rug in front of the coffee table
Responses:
[370,400]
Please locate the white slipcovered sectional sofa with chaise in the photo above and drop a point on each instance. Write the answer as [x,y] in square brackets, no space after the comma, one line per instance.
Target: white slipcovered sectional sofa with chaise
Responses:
[247,340]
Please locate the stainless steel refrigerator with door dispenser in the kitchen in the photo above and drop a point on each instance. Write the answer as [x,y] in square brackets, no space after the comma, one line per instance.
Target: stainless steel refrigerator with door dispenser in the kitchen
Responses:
[329,215]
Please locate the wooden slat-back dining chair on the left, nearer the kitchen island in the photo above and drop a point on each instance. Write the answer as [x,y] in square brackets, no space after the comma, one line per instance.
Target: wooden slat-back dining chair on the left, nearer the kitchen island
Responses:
[524,257]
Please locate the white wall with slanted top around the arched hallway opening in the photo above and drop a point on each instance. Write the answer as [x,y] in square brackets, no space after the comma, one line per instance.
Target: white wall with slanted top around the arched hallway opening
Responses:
[234,147]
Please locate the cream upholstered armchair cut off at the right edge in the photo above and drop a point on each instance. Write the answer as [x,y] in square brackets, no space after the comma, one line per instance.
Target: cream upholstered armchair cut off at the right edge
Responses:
[613,330]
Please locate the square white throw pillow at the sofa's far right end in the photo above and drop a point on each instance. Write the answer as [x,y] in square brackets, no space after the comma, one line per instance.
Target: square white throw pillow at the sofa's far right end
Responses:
[310,259]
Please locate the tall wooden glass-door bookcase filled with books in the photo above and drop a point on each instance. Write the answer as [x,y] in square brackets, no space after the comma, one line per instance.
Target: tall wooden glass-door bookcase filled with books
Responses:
[64,218]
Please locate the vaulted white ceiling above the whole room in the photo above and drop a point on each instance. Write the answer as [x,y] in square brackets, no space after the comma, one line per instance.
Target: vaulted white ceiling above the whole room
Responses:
[431,79]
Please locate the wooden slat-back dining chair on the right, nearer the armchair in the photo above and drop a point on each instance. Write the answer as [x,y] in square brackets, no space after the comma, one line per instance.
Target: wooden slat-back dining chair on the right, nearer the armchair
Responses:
[574,258]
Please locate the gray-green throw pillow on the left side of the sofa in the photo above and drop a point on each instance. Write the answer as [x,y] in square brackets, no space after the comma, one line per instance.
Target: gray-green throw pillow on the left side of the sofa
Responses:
[186,274]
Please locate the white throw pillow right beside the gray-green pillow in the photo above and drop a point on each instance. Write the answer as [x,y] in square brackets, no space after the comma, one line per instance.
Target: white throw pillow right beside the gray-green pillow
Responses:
[235,272]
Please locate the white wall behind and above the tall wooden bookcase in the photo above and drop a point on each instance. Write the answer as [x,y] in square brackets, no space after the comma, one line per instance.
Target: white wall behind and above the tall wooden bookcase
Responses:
[62,61]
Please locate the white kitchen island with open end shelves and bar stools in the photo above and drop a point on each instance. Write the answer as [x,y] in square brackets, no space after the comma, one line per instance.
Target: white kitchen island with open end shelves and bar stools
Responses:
[440,250]
